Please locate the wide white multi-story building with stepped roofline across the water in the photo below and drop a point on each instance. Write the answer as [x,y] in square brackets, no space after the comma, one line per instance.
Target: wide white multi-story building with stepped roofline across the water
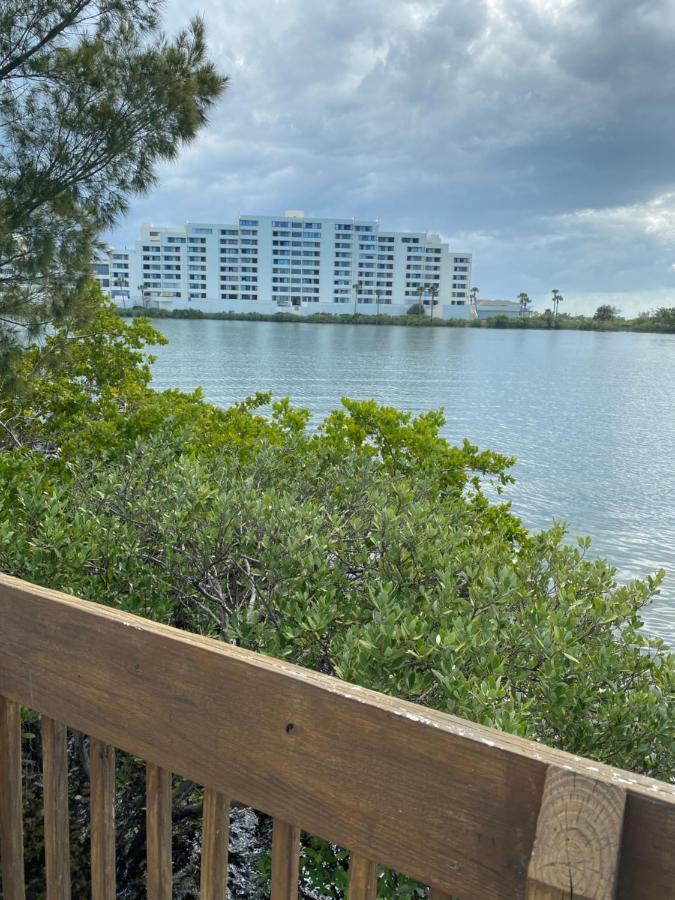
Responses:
[268,263]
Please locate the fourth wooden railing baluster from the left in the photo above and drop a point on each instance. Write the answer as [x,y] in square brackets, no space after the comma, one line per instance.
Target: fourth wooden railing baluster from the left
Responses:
[159,824]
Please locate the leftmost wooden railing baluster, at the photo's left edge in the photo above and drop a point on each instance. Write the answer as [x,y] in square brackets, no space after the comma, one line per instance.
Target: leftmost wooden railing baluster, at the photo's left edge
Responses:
[11,815]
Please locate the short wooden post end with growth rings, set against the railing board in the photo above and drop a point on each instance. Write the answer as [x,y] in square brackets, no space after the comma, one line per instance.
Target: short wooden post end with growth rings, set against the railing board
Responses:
[576,850]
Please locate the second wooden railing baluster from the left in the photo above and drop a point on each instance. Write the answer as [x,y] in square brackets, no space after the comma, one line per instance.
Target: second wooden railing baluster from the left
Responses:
[57,825]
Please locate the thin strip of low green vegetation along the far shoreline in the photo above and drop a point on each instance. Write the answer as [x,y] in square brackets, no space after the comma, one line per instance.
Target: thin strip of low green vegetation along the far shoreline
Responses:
[660,322]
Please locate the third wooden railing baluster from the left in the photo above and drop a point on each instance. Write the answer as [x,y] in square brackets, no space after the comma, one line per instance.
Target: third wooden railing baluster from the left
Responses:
[102,802]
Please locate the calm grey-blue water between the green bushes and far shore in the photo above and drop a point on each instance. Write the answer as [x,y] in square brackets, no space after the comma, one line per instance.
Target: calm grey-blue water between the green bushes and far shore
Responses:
[590,417]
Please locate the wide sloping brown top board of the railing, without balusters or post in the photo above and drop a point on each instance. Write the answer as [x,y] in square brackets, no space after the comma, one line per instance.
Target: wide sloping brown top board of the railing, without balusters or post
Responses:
[453,804]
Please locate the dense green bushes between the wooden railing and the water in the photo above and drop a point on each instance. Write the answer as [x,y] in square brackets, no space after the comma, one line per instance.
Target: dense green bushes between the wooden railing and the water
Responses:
[366,547]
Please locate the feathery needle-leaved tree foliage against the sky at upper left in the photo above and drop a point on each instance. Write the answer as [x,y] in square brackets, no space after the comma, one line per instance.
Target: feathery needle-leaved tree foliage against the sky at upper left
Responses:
[92,96]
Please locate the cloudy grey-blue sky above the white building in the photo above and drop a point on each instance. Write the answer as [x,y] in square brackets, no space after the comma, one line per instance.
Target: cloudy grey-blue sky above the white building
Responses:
[537,134]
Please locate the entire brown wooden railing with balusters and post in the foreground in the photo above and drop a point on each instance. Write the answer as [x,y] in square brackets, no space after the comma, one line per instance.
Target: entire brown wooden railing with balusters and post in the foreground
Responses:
[470,811]
